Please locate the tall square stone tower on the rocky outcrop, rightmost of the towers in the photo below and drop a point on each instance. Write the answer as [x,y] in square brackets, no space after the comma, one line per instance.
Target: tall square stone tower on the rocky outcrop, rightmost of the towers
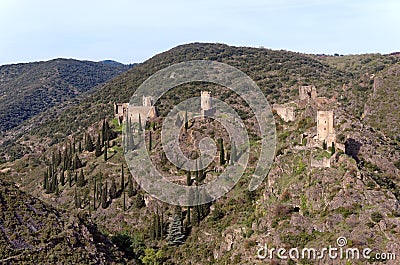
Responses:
[325,129]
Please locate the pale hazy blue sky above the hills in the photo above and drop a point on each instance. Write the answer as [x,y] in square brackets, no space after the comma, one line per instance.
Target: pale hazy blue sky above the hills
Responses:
[133,31]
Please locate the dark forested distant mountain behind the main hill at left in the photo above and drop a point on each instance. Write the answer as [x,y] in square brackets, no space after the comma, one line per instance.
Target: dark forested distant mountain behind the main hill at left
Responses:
[28,89]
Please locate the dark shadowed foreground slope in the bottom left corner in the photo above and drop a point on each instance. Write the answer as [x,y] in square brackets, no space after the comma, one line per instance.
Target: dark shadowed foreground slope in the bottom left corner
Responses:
[33,231]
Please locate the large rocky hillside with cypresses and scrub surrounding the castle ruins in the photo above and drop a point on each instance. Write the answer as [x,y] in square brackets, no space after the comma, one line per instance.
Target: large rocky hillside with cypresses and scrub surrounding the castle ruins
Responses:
[302,203]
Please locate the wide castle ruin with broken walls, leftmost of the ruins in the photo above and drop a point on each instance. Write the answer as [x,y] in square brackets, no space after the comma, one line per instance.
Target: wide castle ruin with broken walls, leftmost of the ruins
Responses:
[124,110]
